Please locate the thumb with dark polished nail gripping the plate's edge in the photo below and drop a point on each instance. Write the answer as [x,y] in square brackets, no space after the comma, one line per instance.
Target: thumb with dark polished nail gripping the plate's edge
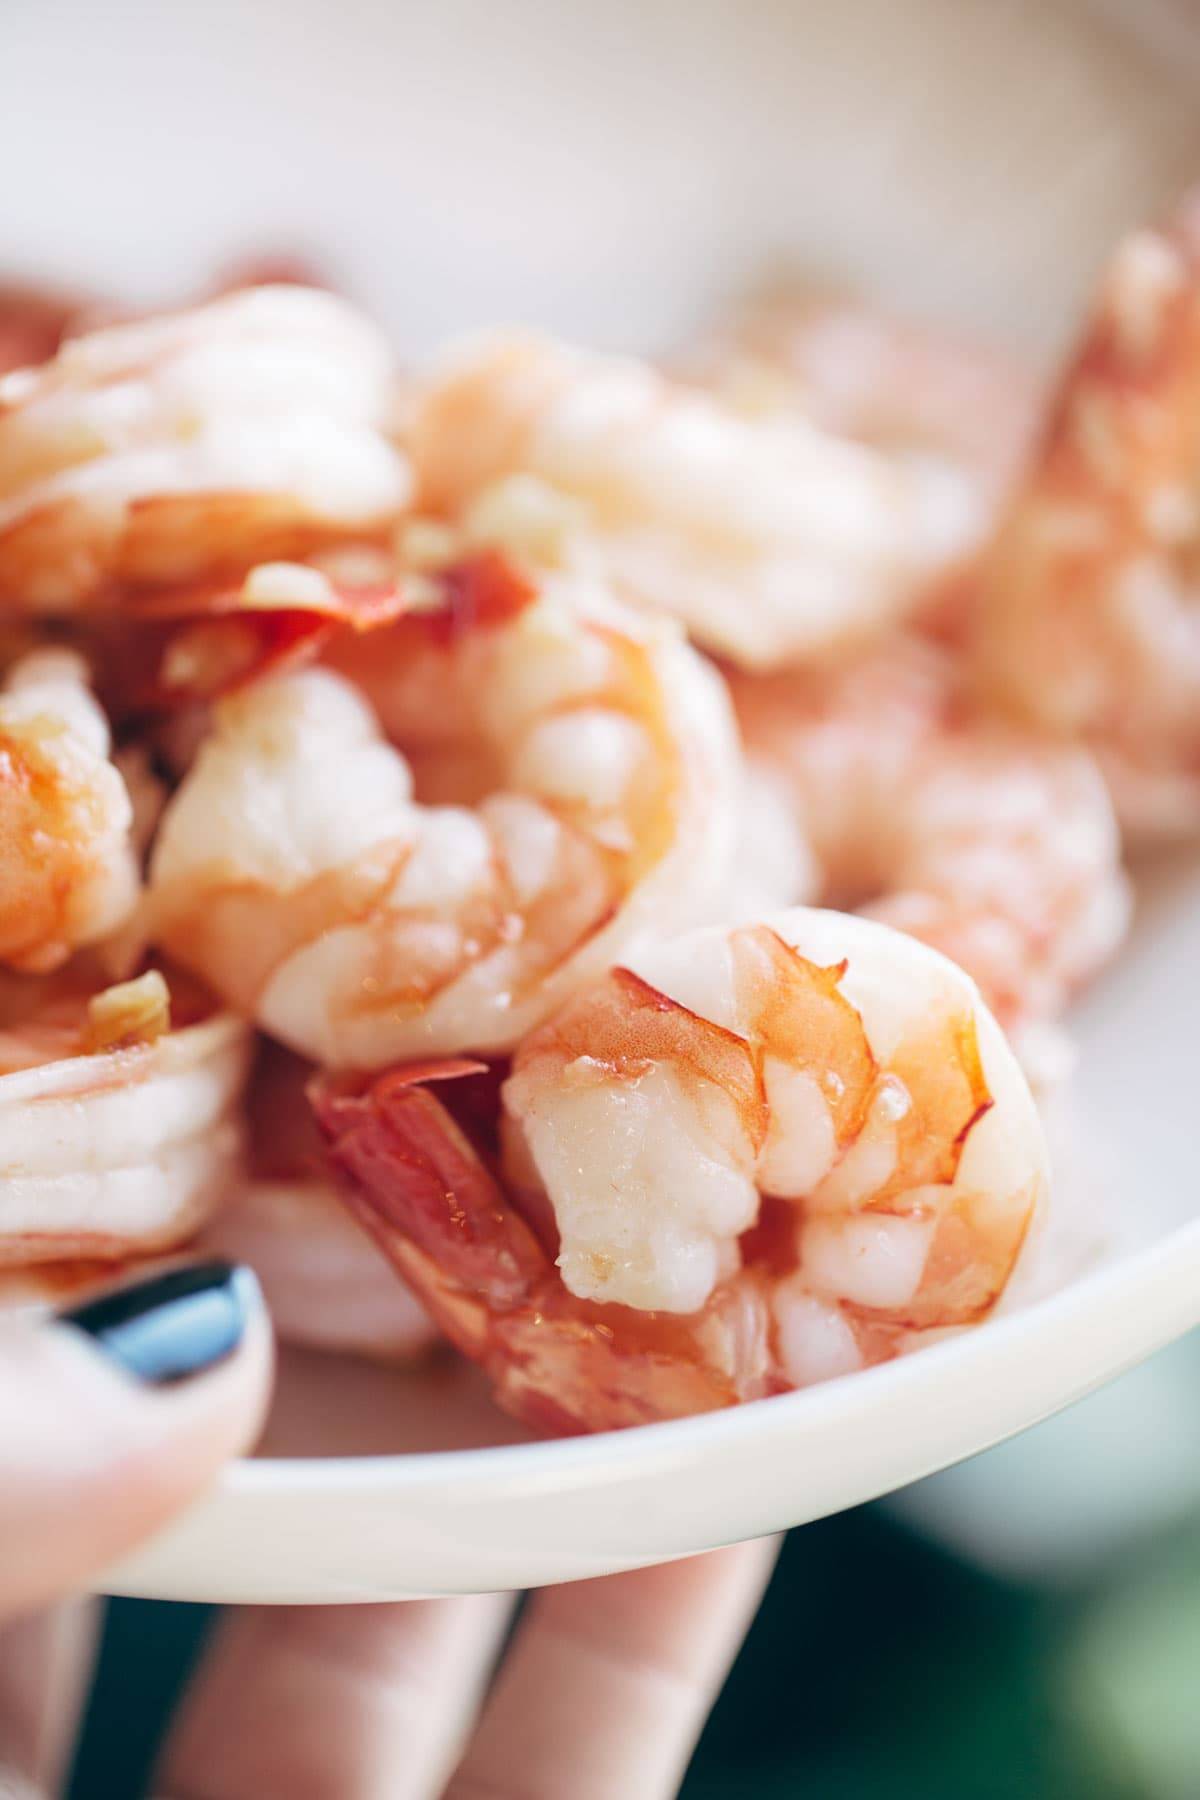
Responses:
[116,1416]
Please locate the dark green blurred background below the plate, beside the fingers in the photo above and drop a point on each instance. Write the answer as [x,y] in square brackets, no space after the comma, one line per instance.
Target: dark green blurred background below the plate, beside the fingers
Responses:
[879,1669]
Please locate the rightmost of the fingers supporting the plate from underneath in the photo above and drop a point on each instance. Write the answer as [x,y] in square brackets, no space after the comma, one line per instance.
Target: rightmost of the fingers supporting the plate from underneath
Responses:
[609,1682]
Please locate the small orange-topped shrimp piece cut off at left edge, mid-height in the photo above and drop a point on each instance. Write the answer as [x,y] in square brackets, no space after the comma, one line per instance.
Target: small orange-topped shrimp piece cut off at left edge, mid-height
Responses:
[67,867]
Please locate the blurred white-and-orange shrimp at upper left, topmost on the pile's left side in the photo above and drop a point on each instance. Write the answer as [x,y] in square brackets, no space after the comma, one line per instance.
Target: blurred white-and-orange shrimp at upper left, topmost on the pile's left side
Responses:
[195,445]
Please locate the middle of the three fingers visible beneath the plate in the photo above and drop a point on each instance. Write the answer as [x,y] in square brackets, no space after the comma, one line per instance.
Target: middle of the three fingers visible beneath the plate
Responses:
[336,1704]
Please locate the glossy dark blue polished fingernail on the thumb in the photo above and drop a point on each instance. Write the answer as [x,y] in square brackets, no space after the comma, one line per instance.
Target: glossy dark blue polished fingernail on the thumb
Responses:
[172,1326]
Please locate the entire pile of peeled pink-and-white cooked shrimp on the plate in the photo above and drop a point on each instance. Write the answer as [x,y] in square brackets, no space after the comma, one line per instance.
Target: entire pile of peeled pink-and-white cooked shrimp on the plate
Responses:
[568,859]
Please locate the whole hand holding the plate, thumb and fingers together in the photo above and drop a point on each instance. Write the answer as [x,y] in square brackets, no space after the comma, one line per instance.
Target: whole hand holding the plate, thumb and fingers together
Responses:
[602,1691]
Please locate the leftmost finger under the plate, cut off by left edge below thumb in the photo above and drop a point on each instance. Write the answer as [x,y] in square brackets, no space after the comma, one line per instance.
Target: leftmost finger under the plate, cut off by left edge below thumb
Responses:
[46,1666]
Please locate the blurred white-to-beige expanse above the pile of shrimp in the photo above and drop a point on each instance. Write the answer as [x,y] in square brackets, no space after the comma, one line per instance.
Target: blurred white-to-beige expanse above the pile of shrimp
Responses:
[609,168]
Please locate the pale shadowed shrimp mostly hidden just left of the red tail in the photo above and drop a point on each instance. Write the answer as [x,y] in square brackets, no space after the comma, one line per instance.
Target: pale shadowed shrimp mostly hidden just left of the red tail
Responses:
[327,1282]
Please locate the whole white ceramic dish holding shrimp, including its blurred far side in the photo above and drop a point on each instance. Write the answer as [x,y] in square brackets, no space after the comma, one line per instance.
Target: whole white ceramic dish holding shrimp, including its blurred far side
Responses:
[616,172]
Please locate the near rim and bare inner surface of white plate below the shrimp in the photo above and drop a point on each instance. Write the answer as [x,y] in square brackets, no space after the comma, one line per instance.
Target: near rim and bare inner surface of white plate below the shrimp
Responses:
[422,1488]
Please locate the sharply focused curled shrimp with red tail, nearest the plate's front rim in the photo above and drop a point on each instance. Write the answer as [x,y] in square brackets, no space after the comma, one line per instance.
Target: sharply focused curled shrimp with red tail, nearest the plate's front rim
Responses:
[773,1155]
